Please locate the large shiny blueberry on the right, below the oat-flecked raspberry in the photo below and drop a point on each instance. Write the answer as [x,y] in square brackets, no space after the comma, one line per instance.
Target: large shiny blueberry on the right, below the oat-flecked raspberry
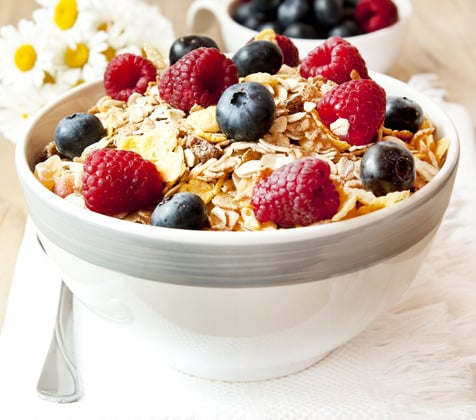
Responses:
[387,166]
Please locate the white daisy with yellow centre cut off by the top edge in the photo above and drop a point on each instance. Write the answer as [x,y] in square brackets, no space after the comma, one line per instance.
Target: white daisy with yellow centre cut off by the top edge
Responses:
[71,20]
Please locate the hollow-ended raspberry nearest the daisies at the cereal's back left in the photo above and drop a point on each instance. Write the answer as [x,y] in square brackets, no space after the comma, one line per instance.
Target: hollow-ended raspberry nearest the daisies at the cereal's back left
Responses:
[128,73]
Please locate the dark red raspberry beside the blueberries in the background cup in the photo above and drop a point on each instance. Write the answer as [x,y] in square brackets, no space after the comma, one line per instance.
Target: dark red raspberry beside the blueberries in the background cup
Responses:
[372,15]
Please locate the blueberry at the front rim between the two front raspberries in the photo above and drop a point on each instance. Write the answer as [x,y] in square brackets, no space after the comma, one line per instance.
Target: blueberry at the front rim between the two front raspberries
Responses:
[183,210]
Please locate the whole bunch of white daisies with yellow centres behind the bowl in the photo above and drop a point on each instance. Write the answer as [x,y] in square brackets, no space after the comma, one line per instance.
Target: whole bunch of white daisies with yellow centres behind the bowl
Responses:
[69,42]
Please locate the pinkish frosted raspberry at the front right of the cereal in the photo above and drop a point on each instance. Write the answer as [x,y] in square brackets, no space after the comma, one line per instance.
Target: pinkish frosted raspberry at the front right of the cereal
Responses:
[297,194]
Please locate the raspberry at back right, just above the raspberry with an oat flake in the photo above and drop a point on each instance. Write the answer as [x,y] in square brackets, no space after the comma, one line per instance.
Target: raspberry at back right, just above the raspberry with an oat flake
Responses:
[334,59]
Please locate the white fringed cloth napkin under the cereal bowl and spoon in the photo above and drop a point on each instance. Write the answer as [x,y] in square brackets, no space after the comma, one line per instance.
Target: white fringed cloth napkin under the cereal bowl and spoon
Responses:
[414,362]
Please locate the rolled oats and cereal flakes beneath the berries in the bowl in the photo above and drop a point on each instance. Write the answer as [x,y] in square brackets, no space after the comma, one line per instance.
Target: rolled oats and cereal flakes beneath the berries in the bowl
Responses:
[192,154]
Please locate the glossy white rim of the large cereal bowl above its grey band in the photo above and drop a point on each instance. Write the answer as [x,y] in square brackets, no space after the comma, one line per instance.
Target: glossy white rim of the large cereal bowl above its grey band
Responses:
[260,238]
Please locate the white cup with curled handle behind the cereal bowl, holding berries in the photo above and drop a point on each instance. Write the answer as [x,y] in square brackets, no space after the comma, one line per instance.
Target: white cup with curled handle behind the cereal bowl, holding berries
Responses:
[380,49]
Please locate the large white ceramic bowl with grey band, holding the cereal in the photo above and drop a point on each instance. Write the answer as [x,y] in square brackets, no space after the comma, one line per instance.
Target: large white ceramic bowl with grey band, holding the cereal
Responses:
[229,305]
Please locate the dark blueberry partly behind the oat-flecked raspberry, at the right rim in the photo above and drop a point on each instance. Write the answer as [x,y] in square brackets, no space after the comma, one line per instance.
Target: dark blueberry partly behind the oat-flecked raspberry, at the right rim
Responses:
[402,113]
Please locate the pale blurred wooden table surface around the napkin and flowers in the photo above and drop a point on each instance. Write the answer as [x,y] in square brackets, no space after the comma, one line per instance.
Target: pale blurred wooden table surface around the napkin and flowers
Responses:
[441,40]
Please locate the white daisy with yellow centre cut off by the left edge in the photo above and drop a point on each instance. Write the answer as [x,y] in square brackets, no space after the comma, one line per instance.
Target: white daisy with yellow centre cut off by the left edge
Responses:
[26,56]
